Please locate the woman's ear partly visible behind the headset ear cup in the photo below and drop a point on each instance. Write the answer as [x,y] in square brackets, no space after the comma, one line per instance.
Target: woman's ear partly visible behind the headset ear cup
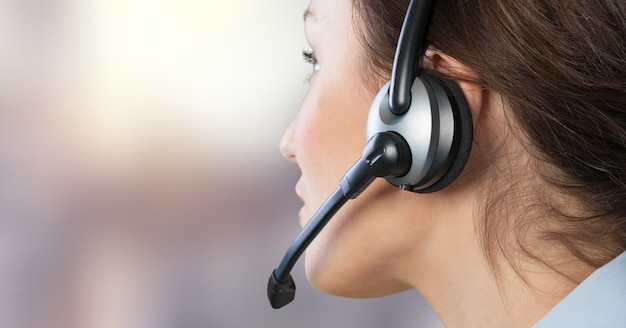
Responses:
[474,93]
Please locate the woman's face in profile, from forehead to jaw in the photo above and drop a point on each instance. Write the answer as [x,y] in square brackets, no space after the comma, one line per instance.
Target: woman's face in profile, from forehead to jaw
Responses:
[353,254]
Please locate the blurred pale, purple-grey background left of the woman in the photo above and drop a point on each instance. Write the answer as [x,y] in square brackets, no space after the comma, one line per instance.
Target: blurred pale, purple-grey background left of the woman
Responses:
[141,182]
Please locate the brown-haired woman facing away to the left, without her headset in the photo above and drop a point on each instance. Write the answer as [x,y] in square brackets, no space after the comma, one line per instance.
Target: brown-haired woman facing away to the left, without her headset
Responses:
[534,229]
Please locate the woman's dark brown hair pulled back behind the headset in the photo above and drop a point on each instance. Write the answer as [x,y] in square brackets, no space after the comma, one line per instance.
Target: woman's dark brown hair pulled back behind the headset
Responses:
[560,66]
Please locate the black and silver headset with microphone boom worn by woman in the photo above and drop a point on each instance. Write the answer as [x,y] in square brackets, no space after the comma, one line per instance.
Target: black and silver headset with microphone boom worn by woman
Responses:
[419,132]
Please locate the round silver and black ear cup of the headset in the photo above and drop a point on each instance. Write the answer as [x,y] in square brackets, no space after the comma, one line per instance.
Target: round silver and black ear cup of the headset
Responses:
[438,128]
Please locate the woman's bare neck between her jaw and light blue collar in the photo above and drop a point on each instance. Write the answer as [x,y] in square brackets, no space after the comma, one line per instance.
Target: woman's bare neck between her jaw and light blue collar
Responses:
[466,290]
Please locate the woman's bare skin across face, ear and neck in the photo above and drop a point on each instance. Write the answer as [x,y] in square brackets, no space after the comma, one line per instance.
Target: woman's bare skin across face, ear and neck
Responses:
[390,240]
